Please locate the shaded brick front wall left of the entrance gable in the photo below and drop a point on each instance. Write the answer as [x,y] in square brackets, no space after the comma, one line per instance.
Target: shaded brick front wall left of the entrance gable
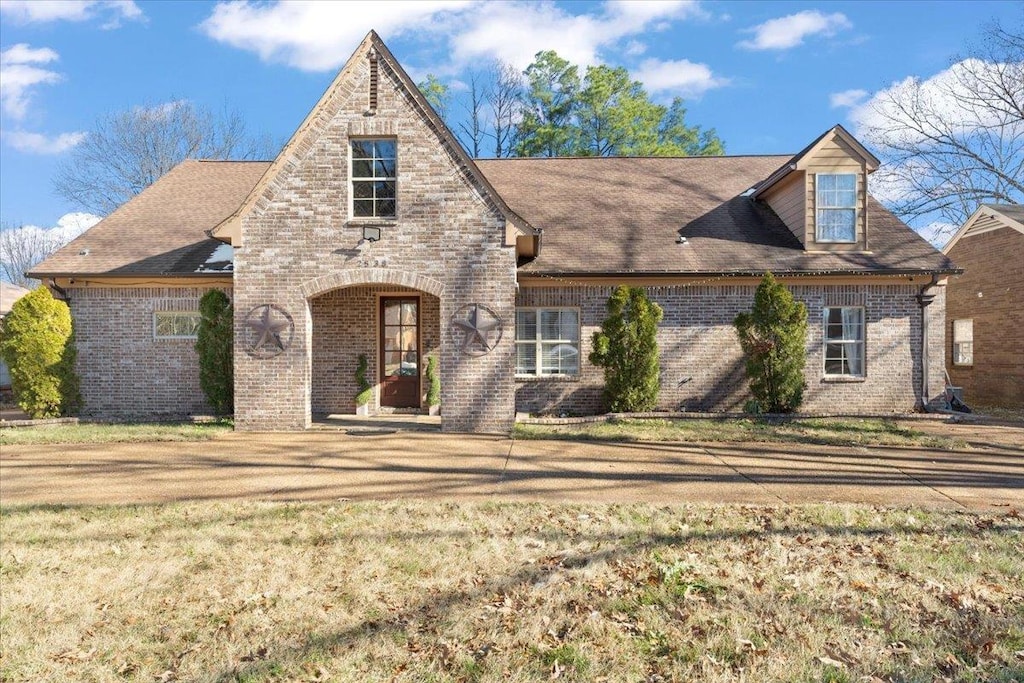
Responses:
[125,372]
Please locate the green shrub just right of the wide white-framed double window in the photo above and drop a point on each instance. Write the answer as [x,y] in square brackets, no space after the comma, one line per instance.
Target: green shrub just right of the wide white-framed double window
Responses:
[627,349]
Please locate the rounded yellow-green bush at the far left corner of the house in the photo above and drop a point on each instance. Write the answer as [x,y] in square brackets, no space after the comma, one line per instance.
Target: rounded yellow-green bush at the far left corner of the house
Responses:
[38,346]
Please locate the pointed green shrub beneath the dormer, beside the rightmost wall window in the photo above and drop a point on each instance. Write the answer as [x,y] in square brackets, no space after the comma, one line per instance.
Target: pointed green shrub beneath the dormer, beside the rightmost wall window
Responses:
[774,336]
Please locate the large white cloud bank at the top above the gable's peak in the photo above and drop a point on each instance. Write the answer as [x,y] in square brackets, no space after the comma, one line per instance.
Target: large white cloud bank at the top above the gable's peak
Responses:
[320,36]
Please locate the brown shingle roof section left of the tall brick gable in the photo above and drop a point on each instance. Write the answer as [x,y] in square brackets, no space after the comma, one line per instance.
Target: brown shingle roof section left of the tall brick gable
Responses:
[163,231]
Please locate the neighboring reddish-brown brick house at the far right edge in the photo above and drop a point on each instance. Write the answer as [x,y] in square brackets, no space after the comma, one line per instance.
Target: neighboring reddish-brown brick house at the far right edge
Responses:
[986,308]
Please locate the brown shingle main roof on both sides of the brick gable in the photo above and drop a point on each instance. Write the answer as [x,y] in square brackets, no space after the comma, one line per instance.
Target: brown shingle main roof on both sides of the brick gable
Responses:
[599,216]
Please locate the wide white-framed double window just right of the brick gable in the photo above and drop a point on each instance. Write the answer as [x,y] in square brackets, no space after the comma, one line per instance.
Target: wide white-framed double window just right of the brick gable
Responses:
[547,341]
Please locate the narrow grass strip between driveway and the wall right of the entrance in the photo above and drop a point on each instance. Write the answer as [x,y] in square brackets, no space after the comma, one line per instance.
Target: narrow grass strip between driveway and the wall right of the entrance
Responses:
[823,432]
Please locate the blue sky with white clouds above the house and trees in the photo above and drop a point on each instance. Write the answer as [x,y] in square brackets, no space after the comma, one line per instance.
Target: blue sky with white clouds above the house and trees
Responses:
[769,76]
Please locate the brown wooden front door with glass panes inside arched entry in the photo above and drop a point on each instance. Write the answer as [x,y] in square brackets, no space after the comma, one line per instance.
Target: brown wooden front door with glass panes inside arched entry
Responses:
[400,352]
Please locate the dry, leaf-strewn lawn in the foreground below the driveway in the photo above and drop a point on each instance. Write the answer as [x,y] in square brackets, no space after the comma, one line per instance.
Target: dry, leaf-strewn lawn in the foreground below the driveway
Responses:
[509,592]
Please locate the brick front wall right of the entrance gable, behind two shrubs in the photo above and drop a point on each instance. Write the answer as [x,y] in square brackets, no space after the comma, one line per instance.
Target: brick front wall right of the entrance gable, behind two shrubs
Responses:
[703,366]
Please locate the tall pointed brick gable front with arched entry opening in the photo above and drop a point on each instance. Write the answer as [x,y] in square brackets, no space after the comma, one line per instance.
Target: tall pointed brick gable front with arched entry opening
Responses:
[300,242]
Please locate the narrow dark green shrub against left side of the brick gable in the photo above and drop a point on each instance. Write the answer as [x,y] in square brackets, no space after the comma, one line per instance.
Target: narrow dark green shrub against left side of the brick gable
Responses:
[216,346]
